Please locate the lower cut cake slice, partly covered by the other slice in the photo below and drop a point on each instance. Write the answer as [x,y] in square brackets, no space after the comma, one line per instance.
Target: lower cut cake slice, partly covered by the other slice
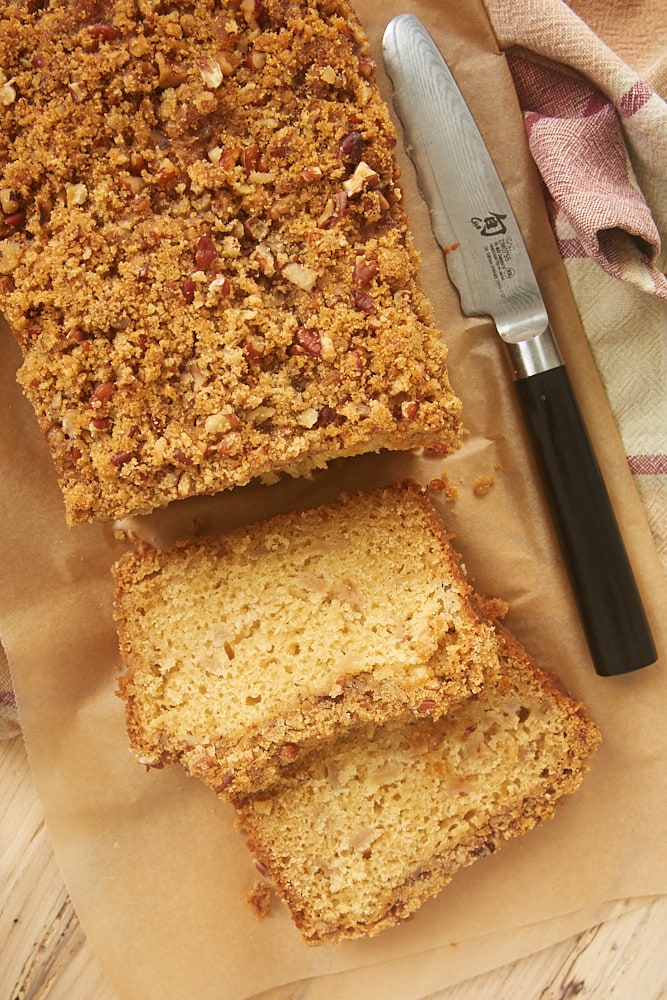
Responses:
[357,836]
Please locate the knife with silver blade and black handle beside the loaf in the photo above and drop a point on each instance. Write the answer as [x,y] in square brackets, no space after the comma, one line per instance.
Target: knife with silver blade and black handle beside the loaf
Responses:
[487,261]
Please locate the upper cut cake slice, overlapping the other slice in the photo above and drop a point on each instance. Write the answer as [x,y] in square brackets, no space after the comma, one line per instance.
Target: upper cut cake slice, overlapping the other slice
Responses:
[243,651]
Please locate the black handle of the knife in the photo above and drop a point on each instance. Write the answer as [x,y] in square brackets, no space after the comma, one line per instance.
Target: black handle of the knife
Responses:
[611,609]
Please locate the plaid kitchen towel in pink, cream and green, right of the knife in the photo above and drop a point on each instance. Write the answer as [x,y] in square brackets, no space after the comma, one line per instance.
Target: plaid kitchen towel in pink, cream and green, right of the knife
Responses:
[591,79]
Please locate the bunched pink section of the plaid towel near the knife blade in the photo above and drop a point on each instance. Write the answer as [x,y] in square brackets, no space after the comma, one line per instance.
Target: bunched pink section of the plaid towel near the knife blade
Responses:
[596,206]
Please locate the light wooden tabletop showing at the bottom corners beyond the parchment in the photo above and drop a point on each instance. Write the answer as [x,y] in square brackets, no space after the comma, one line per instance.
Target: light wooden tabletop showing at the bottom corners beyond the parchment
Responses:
[44,952]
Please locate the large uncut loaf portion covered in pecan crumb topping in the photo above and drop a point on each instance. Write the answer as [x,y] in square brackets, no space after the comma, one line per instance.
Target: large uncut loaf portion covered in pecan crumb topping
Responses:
[203,250]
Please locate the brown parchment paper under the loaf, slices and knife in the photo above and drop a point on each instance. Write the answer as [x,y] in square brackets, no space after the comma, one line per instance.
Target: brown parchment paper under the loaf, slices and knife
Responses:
[153,863]
